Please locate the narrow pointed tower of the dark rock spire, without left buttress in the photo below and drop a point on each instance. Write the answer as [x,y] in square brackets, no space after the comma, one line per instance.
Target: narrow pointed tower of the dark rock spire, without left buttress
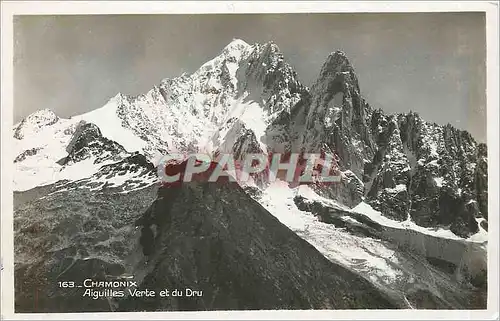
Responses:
[337,115]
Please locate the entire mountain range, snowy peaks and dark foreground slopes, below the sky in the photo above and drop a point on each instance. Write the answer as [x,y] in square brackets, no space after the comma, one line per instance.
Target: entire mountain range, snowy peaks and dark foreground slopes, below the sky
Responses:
[405,228]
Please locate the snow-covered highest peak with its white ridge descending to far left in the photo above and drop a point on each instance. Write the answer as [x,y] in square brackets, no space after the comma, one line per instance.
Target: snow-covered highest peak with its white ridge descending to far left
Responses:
[179,115]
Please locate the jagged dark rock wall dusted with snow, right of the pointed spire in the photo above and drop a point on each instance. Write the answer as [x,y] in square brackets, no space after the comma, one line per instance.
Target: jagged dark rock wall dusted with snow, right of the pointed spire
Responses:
[424,172]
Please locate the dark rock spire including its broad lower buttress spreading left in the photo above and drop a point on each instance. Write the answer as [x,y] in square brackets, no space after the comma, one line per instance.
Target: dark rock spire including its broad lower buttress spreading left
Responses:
[331,118]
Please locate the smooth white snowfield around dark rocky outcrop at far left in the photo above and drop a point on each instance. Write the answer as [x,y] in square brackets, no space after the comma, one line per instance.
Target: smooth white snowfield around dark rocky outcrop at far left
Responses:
[43,167]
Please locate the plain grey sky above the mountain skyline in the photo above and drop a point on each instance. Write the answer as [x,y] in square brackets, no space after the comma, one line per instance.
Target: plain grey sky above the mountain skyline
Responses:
[432,63]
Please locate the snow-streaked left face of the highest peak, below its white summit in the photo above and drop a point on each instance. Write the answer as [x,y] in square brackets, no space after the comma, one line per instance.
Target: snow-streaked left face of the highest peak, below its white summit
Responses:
[180,113]
